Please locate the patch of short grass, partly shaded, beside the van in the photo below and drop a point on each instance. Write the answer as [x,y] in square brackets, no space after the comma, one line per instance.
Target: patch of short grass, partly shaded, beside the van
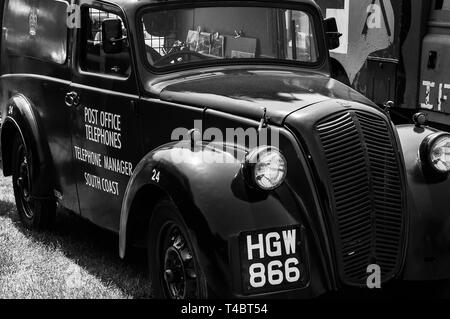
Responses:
[75,260]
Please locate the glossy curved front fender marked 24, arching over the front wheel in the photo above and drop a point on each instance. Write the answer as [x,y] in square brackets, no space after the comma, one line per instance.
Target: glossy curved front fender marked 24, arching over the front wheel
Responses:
[217,205]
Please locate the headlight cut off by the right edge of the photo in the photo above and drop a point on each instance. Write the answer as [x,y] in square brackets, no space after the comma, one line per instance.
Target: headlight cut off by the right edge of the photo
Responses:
[435,152]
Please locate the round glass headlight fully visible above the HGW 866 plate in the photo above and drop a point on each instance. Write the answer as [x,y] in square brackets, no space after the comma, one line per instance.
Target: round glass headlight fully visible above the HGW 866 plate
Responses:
[266,168]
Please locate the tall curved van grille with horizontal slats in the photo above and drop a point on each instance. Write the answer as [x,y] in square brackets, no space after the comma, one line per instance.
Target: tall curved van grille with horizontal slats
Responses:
[367,194]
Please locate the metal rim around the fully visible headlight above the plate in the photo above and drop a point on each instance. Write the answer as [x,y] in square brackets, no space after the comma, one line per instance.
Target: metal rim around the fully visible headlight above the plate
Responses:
[251,161]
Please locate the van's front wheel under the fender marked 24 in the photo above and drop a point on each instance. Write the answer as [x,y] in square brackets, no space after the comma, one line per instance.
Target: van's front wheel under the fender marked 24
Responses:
[175,271]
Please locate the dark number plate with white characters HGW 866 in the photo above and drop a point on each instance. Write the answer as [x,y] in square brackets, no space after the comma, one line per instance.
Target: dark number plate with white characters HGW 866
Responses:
[271,260]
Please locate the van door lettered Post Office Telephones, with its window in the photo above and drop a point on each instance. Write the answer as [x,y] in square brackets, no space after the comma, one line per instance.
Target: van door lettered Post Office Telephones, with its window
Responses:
[103,97]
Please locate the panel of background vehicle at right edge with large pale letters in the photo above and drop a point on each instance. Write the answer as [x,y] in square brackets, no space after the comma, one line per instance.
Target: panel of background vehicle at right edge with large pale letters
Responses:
[435,66]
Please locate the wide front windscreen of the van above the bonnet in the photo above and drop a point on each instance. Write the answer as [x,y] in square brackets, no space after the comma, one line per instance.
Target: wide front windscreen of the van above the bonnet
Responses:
[207,35]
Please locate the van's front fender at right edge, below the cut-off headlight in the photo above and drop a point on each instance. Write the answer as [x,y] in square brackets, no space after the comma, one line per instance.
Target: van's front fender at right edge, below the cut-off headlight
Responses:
[428,250]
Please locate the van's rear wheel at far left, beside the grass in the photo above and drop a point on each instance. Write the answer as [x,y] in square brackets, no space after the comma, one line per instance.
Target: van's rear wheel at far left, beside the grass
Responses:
[35,214]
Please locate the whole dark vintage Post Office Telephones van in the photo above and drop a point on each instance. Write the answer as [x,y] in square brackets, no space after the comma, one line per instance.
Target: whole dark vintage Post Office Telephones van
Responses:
[92,132]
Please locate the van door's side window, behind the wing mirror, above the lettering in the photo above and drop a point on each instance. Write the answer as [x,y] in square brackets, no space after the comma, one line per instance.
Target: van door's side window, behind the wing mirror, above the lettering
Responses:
[93,57]
